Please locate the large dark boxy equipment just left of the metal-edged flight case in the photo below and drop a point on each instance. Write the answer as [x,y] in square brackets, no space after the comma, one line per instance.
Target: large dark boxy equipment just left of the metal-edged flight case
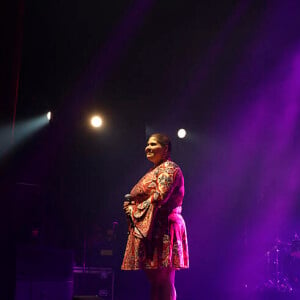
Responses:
[43,273]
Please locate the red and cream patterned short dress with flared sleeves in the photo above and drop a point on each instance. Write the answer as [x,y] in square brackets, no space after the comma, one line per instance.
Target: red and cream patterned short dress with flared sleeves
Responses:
[158,239]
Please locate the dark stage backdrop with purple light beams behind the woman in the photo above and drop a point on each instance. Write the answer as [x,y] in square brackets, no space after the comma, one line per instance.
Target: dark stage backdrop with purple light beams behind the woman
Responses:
[227,71]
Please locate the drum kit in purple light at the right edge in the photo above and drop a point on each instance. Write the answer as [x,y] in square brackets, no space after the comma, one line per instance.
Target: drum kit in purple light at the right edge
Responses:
[283,266]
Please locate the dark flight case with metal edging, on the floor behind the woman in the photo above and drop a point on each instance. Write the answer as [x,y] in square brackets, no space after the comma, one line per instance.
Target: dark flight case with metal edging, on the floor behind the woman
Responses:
[93,281]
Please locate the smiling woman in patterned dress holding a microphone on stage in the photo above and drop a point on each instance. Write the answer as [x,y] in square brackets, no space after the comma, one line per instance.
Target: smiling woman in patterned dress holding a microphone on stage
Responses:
[157,240]
